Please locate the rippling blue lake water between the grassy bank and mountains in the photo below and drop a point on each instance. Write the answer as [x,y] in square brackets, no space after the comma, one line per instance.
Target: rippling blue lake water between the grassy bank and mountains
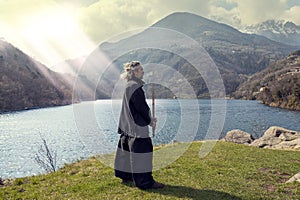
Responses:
[81,130]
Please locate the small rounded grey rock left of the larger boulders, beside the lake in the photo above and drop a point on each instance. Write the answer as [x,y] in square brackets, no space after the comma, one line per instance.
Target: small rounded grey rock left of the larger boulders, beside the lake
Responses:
[238,136]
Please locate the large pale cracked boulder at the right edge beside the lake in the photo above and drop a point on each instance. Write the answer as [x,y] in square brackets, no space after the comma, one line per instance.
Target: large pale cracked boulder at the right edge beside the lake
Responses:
[278,138]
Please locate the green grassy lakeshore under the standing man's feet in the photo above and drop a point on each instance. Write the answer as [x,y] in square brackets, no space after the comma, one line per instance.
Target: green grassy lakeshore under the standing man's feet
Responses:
[230,171]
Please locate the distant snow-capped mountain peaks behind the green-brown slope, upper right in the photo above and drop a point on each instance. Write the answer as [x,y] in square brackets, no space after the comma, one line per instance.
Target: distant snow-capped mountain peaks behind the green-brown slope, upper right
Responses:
[278,30]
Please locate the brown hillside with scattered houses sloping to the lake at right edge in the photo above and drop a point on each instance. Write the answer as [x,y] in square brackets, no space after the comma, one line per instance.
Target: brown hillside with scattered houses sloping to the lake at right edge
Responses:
[278,85]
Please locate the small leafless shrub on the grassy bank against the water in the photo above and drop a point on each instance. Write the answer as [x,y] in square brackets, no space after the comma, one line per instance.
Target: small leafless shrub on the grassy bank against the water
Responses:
[46,158]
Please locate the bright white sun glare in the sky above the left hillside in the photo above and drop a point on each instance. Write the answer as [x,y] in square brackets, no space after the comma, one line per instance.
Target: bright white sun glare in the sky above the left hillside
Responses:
[53,35]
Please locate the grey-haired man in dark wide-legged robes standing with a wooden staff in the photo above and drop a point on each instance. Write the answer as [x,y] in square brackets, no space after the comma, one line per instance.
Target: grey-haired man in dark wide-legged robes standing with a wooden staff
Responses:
[133,161]
